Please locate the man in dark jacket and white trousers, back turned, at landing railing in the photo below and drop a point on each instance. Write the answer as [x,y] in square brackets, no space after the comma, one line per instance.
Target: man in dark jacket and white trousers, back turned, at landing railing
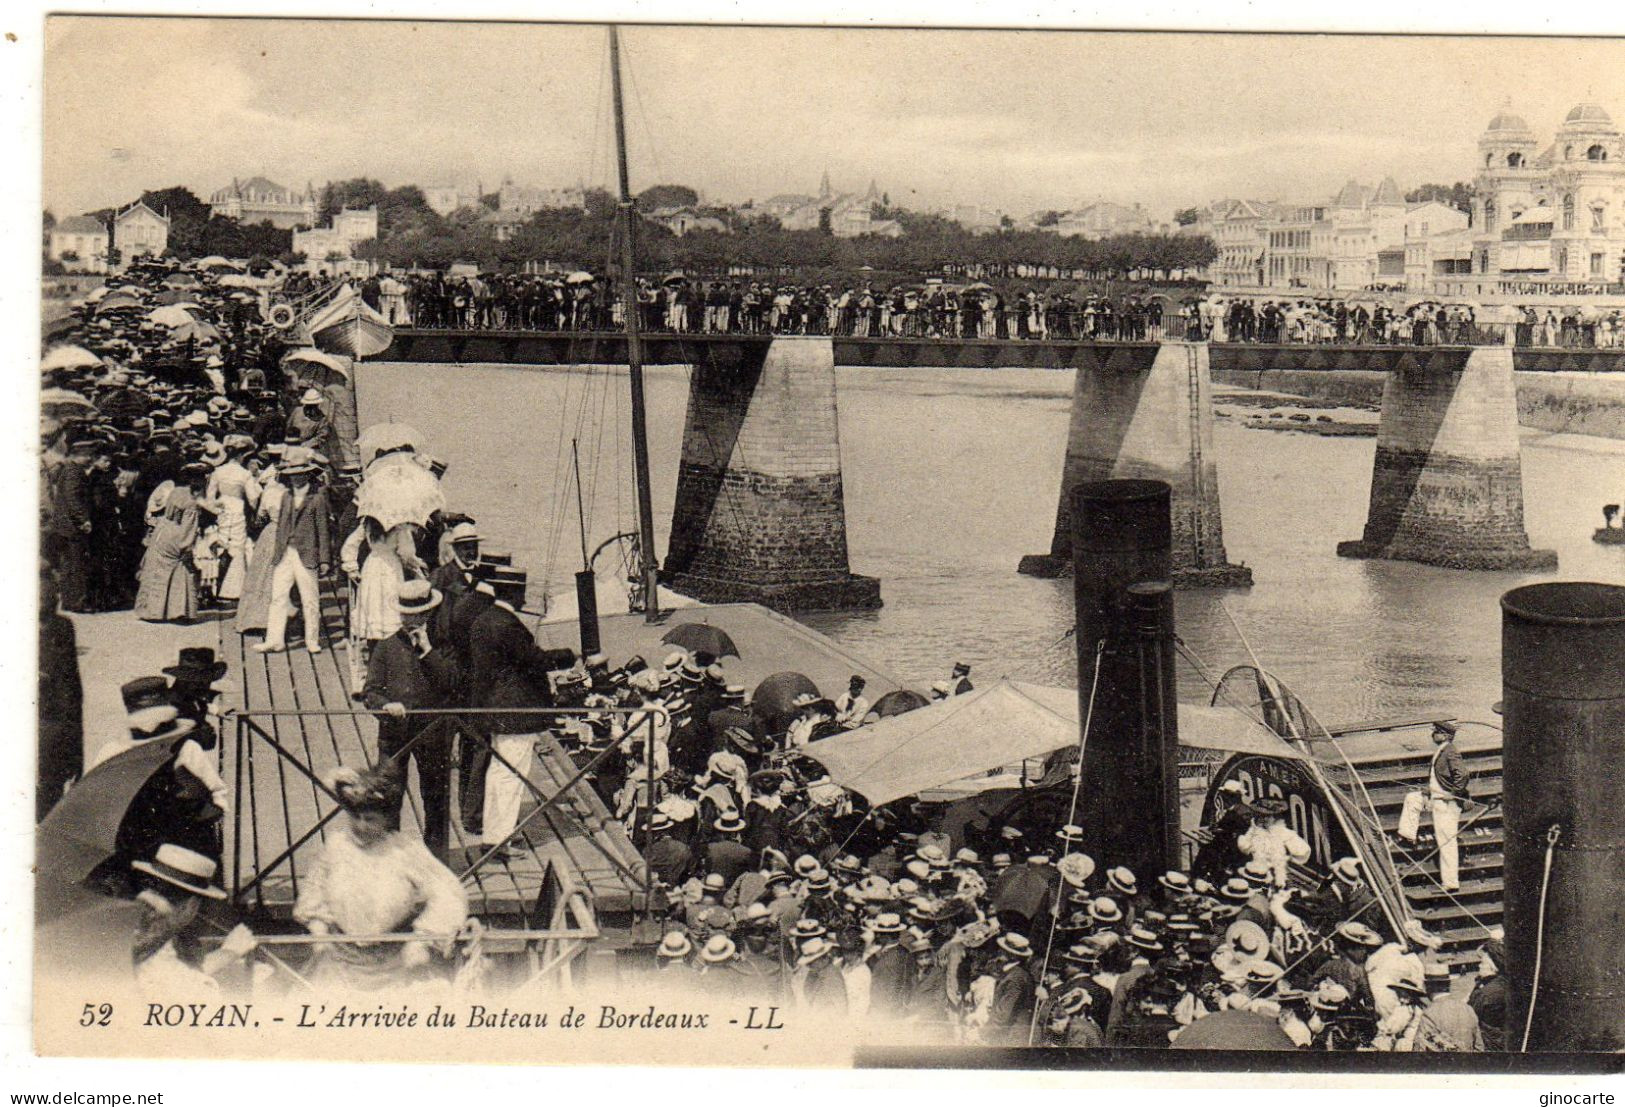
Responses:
[508,671]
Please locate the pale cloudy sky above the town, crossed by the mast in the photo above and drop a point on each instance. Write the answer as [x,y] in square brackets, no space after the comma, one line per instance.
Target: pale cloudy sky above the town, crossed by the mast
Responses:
[1016,121]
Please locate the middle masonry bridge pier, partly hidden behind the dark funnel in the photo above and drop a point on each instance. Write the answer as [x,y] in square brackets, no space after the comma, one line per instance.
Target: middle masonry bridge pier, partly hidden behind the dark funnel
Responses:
[1145,412]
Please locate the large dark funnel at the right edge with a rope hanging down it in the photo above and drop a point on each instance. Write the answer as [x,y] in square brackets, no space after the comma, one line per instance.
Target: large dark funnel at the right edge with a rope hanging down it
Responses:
[1564,703]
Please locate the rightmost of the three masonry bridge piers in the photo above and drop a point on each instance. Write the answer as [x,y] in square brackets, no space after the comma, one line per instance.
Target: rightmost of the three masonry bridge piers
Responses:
[1447,487]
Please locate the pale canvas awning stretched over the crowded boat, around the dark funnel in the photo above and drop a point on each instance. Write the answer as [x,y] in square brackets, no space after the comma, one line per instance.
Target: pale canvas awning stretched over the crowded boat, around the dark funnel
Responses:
[992,727]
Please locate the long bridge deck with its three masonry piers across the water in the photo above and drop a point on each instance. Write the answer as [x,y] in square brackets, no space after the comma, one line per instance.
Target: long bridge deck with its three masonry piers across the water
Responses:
[760,511]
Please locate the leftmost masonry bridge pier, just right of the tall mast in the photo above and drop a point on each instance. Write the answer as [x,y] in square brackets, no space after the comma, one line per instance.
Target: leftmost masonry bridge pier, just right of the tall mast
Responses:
[760,513]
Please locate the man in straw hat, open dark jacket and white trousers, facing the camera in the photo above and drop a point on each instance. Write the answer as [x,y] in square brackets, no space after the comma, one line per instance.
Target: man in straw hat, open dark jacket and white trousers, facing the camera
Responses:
[301,553]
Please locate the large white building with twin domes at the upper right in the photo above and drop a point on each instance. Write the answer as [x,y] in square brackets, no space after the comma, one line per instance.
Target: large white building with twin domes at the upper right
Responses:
[1551,215]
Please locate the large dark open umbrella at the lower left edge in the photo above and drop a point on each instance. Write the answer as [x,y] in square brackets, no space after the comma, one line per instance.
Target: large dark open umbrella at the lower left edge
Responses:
[82,831]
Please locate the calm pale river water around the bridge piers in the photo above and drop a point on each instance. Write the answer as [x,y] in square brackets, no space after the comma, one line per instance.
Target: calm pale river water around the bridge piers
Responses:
[953,475]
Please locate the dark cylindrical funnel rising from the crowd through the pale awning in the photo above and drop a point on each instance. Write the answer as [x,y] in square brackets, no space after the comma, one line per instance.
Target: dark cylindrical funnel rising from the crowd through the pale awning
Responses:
[1129,797]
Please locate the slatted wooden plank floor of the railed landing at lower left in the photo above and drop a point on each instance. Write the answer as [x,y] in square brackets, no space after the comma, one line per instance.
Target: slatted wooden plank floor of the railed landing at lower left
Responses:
[298,723]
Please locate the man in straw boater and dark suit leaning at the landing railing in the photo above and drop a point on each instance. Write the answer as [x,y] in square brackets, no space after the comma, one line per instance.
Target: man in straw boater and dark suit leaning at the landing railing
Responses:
[407,674]
